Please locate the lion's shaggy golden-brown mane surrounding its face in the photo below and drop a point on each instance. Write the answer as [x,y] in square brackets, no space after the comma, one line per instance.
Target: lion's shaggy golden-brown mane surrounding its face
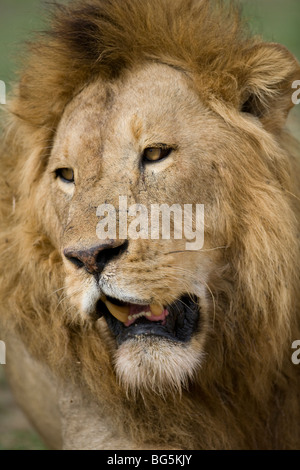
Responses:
[248,387]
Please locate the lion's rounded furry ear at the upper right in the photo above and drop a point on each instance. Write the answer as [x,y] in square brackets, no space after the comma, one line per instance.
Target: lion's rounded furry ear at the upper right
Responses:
[267,92]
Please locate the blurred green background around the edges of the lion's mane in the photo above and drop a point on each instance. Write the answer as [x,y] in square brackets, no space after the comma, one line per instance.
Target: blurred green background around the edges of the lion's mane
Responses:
[275,20]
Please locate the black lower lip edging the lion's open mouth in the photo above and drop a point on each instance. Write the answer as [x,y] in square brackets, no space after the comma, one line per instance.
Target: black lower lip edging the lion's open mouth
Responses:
[178,326]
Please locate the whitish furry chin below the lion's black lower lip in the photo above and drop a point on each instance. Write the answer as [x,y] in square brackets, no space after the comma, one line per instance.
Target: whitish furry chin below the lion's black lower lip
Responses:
[156,365]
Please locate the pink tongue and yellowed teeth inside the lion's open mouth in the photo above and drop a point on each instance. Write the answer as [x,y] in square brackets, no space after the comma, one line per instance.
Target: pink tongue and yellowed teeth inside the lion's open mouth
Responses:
[128,314]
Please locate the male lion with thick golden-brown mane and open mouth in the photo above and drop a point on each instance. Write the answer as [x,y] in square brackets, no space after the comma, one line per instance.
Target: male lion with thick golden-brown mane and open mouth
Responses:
[126,343]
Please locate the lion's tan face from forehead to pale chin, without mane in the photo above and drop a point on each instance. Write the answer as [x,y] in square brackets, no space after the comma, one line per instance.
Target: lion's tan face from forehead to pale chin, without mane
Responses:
[146,137]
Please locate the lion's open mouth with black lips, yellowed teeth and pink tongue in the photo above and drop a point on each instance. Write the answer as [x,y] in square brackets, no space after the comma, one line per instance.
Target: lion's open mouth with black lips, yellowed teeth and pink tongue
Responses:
[177,321]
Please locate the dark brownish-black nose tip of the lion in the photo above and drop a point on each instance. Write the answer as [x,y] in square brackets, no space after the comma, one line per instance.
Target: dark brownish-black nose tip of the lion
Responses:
[95,258]
